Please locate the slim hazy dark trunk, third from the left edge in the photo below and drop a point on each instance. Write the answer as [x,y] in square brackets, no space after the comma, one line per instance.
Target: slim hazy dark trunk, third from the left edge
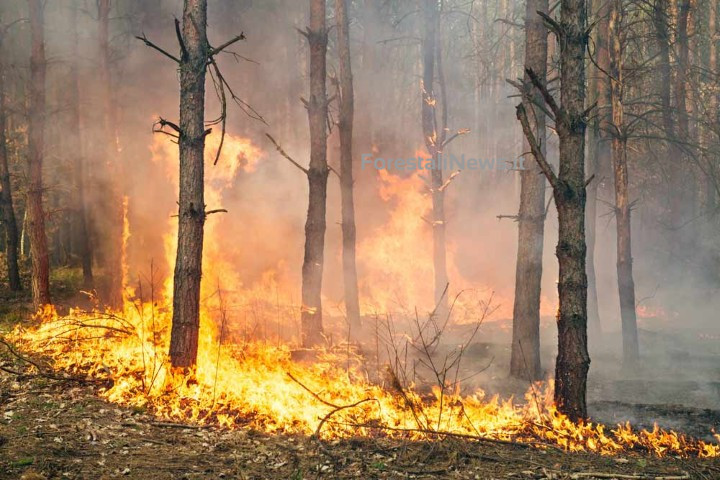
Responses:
[80,240]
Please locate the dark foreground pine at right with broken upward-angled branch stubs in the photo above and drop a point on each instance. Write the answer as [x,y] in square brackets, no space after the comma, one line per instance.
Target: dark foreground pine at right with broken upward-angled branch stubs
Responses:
[573,360]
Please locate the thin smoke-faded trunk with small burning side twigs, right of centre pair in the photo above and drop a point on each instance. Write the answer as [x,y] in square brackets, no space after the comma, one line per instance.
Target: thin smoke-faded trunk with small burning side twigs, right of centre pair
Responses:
[434,140]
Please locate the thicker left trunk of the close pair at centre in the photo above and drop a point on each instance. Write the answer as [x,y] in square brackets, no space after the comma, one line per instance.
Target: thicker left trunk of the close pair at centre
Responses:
[311,311]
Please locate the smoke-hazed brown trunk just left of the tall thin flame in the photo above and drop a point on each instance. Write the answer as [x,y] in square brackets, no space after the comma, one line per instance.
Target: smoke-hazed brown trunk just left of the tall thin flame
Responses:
[110,218]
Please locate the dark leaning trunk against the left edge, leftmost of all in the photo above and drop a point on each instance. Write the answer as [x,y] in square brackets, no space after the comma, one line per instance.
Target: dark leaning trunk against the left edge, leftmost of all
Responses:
[6,200]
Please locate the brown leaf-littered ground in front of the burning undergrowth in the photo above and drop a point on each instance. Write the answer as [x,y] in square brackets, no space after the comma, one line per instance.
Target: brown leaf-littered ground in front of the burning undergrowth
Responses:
[55,428]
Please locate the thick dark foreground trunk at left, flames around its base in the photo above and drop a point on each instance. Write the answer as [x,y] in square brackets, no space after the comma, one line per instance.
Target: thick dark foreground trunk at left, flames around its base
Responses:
[191,211]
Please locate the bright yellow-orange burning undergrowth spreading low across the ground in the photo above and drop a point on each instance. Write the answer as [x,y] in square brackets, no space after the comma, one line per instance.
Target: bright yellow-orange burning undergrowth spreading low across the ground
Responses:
[260,385]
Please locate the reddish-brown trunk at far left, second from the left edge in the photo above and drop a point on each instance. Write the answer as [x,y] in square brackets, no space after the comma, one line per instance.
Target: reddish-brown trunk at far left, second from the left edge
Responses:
[36,145]
